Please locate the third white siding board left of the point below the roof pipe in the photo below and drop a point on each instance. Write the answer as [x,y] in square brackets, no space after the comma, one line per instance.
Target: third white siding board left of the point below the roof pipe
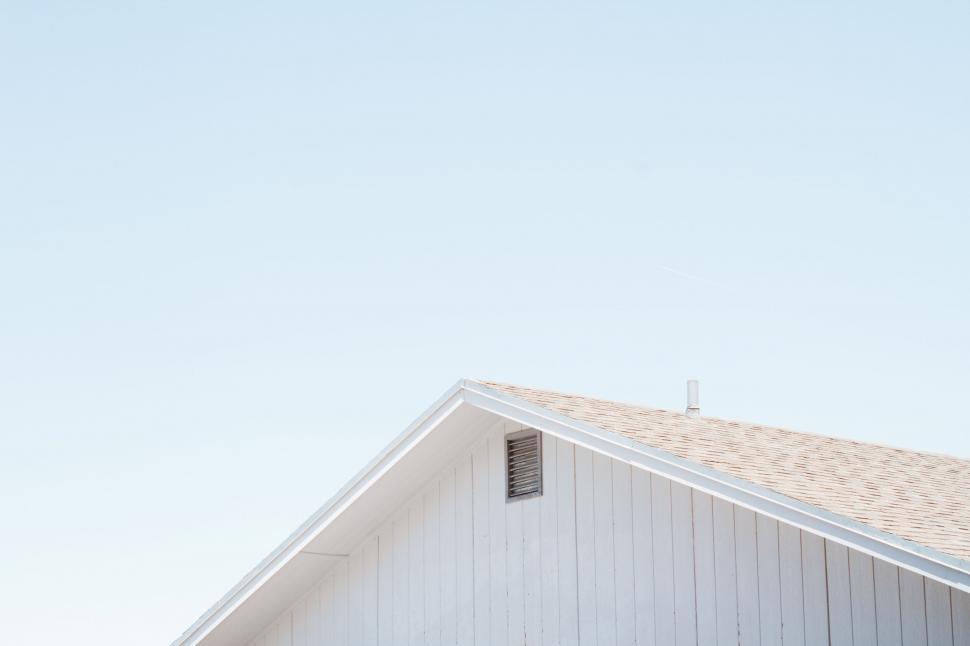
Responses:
[642,526]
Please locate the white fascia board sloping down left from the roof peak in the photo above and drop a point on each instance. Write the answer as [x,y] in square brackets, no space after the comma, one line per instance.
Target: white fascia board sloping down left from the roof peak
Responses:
[319,521]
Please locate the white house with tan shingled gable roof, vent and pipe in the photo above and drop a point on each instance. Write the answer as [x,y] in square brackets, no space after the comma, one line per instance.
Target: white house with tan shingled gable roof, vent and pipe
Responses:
[508,515]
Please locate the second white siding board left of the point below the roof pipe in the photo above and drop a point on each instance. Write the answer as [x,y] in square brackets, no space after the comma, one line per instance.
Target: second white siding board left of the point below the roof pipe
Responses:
[663,561]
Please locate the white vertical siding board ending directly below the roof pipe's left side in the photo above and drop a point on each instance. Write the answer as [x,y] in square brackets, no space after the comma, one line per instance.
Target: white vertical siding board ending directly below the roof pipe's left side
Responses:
[682,530]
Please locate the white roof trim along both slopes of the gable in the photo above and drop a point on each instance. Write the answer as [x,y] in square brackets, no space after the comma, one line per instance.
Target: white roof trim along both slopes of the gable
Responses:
[912,556]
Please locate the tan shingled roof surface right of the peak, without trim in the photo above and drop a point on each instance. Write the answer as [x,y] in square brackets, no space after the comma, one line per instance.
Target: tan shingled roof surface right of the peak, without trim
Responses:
[920,497]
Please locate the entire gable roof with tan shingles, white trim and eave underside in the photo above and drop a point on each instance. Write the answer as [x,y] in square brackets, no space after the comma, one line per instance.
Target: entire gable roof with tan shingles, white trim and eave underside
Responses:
[904,507]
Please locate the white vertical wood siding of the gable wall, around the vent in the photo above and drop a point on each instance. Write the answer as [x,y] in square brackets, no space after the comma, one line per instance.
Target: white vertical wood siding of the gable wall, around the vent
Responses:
[609,554]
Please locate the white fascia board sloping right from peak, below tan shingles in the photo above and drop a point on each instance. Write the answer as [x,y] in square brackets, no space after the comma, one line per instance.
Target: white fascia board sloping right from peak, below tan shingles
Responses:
[888,547]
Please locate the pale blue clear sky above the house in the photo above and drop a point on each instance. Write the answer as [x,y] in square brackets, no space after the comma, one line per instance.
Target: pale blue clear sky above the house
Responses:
[243,246]
